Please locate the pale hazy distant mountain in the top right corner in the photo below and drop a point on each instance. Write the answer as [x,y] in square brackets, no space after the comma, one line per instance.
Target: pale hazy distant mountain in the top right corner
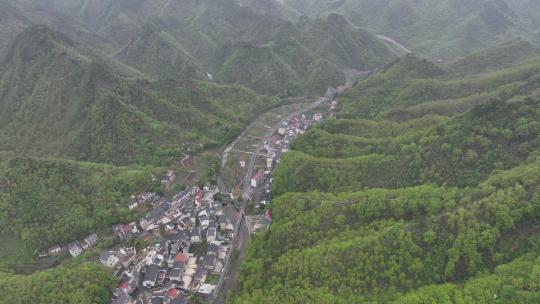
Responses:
[441,29]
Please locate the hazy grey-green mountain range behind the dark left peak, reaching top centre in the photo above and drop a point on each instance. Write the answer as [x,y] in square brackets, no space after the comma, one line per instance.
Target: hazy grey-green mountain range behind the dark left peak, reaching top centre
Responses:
[209,36]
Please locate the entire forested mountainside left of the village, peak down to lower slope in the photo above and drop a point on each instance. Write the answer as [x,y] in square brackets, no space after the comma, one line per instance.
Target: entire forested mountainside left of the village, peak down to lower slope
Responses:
[80,134]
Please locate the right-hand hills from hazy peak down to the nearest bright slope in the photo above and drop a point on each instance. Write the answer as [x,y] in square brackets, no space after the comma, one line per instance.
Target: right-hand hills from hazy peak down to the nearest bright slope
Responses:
[395,135]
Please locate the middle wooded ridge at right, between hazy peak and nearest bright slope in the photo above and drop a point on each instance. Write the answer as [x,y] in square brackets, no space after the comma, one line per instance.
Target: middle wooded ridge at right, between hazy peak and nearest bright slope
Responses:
[462,151]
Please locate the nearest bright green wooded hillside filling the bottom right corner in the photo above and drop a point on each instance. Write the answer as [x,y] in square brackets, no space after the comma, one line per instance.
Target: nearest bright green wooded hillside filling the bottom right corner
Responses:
[375,245]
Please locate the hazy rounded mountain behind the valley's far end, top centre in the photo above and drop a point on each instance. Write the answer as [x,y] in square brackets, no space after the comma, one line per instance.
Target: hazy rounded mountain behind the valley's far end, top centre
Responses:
[291,62]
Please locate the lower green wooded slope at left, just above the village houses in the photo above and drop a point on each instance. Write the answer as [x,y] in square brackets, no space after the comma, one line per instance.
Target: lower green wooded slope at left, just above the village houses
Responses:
[47,202]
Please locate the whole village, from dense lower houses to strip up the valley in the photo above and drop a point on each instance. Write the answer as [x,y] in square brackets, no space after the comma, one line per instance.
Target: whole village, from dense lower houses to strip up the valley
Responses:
[190,238]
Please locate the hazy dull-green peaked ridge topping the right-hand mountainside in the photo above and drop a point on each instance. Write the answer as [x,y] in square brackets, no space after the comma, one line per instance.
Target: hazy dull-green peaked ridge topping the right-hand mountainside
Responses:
[411,88]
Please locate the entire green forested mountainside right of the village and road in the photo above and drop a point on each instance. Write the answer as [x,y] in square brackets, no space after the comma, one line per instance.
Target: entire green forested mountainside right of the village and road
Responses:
[423,190]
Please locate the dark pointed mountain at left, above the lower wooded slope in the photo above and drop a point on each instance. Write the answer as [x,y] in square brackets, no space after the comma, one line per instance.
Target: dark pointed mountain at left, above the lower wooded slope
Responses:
[94,112]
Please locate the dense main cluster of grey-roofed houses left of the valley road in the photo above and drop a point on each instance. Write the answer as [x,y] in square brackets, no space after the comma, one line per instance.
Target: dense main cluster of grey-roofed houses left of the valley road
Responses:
[188,241]
